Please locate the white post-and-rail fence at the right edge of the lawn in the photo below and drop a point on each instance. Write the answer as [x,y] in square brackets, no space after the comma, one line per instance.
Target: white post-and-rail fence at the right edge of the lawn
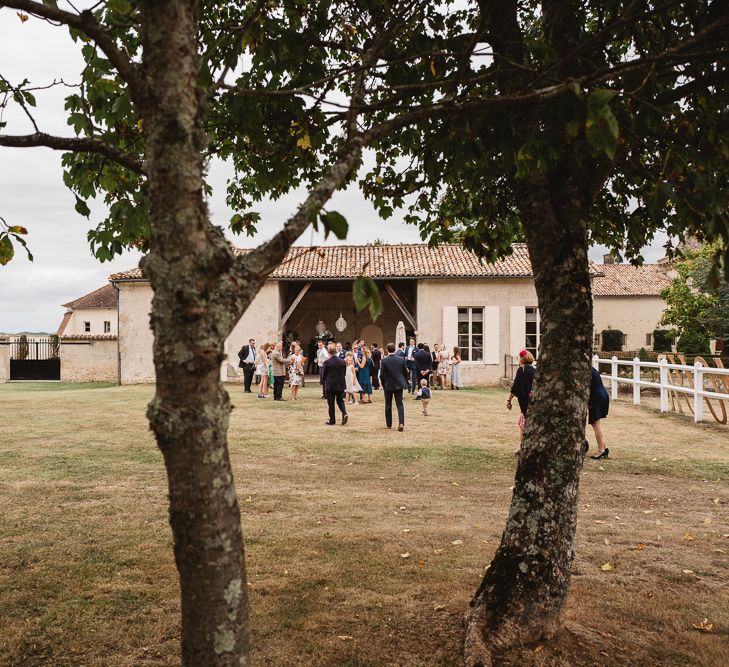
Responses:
[686,379]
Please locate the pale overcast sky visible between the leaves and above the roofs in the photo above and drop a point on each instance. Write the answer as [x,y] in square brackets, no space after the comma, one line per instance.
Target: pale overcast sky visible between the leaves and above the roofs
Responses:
[32,194]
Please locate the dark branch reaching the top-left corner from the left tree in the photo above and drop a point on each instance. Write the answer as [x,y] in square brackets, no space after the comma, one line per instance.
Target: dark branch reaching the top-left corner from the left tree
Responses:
[88,24]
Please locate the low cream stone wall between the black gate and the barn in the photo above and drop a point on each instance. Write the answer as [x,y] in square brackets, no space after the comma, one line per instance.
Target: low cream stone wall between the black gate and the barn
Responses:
[89,359]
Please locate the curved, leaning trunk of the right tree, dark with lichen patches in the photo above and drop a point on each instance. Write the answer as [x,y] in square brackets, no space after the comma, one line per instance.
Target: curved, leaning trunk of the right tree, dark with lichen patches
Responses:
[525,588]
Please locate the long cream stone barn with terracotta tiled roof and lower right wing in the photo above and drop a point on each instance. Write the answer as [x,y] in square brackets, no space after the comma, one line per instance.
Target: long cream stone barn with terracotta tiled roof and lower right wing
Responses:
[445,295]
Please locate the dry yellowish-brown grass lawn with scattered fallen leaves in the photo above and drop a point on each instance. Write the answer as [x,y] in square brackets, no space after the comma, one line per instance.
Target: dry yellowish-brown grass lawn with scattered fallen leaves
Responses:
[87,575]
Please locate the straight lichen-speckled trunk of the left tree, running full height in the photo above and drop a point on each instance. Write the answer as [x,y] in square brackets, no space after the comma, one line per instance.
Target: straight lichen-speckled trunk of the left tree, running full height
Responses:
[189,265]
